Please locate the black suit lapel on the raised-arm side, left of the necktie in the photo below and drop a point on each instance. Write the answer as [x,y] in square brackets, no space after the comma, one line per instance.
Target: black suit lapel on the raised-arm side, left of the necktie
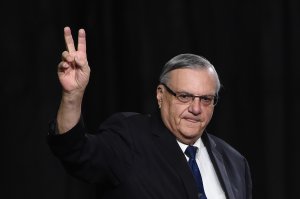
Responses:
[167,144]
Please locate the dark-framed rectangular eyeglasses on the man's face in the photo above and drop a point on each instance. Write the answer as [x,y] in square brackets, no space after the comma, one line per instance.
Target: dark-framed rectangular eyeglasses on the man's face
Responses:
[205,100]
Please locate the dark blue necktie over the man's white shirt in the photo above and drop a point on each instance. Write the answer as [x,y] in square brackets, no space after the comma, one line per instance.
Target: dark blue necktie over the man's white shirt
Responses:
[191,153]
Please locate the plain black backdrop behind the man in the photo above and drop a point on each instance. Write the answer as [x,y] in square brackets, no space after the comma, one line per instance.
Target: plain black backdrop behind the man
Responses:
[254,46]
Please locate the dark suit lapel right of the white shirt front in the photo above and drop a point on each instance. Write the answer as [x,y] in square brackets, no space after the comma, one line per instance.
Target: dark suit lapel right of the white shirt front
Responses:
[219,165]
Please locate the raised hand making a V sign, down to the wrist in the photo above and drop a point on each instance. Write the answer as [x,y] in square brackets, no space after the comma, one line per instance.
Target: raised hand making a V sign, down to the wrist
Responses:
[73,70]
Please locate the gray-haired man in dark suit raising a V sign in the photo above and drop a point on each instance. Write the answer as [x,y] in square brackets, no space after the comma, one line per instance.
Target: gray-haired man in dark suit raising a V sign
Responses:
[159,156]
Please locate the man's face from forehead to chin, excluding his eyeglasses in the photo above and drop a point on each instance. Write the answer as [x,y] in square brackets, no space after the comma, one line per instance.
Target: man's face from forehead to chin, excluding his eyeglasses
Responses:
[187,121]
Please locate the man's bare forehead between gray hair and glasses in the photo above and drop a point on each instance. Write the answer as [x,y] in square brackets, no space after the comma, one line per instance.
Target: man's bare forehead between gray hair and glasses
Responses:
[196,81]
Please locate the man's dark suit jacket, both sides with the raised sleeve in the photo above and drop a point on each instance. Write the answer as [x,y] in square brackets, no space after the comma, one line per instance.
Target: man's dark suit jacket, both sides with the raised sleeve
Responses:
[135,156]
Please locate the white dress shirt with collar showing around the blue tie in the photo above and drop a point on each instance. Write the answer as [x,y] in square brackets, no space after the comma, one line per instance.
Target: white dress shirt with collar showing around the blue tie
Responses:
[211,184]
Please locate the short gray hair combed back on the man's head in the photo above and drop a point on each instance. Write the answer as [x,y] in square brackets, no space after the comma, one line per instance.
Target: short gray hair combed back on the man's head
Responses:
[187,61]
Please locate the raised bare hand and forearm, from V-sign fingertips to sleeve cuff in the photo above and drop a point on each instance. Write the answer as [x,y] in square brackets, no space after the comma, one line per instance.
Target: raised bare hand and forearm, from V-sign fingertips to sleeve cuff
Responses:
[73,72]
